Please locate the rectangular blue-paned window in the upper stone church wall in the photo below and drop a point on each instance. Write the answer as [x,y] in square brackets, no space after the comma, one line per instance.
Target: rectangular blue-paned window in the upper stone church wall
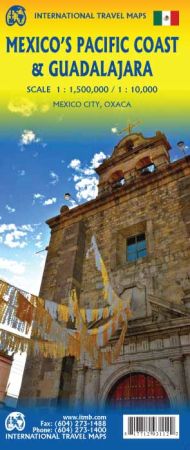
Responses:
[136,247]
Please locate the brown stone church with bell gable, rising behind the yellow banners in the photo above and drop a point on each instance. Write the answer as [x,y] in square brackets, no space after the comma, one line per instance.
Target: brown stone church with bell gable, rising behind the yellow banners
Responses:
[141,222]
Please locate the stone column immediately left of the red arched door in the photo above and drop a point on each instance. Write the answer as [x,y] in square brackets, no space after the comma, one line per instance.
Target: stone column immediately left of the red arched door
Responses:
[92,386]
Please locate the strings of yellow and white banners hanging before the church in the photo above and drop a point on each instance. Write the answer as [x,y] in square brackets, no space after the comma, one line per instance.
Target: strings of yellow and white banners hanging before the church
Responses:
[31,310]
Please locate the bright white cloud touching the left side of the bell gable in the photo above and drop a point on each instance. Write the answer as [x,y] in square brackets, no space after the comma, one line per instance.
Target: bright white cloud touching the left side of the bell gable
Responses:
[85,178]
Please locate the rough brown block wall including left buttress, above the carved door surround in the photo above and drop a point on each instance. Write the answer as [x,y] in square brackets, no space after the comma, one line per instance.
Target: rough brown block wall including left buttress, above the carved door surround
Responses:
[160,209]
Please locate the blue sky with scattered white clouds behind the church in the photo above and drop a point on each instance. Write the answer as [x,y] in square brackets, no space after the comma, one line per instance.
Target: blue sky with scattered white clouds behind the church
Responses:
[38,165]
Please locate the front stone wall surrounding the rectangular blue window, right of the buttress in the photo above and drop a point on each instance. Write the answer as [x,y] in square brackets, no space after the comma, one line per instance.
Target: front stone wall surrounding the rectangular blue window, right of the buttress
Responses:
[161,213]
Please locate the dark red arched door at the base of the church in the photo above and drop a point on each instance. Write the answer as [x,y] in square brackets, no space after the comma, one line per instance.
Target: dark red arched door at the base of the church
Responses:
[138,388]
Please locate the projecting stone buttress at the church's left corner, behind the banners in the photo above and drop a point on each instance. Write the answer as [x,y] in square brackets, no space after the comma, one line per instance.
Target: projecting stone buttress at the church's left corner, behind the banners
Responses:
[63,271]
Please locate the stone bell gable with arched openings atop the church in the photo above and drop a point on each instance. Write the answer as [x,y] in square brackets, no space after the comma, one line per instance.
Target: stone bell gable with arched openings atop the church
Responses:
[133,156]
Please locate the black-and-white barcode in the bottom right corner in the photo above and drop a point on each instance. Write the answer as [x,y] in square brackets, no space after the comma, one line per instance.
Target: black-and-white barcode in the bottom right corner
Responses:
[150,426]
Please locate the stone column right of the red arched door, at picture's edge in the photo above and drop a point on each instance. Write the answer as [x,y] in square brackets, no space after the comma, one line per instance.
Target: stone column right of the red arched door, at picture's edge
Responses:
[180,379]
